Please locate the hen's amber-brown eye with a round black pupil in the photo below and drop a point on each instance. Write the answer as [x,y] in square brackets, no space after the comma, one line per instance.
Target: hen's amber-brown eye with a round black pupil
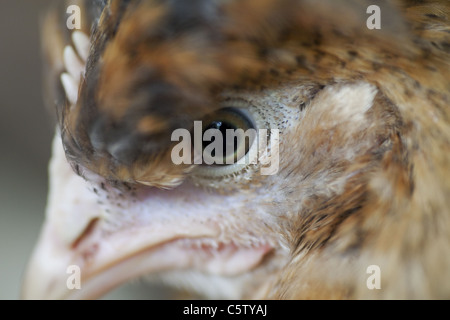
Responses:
[227,136]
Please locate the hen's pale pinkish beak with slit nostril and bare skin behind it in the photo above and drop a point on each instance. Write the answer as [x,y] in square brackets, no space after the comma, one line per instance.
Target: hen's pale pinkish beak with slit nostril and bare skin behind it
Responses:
[87,248]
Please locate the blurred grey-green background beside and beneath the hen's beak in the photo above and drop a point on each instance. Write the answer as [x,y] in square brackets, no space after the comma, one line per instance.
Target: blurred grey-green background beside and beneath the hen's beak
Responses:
[26,130]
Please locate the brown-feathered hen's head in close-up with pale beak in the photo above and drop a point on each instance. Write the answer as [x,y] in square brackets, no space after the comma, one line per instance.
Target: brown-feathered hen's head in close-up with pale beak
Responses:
[355,206]
